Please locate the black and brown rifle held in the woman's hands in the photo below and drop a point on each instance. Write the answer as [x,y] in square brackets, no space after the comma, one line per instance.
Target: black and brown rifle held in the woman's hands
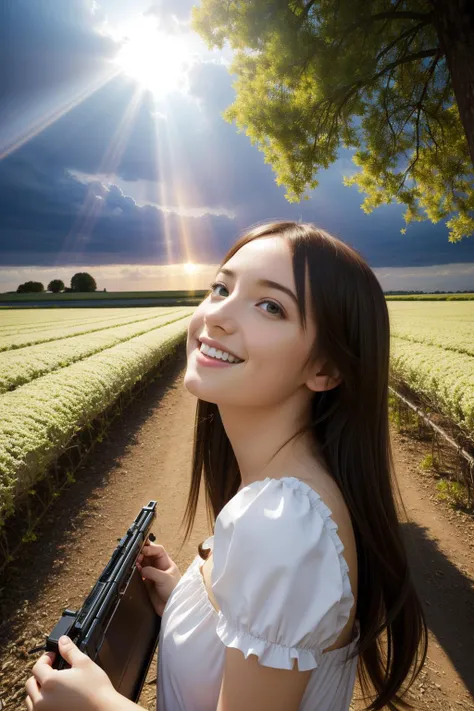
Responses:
[117,625]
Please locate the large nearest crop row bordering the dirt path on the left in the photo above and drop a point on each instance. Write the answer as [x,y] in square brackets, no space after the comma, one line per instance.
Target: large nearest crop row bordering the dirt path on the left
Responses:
[40,418]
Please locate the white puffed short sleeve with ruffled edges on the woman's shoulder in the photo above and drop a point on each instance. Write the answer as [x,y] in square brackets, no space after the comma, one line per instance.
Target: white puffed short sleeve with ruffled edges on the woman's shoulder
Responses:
[279,575]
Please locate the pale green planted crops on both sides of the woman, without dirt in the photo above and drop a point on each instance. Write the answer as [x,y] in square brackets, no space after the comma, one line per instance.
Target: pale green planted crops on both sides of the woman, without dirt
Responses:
[60,370]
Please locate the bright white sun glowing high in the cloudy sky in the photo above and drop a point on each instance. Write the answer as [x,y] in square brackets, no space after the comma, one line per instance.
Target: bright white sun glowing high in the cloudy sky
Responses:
[158,61]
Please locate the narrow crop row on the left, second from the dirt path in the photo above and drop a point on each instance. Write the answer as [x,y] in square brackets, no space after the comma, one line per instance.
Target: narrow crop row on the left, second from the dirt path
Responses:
[18,367]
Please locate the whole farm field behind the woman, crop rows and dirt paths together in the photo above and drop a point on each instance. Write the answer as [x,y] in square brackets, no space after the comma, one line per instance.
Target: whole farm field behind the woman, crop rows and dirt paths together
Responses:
[58,371]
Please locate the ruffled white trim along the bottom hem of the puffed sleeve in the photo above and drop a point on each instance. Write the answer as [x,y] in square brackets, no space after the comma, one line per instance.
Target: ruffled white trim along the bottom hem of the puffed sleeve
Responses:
[269,654]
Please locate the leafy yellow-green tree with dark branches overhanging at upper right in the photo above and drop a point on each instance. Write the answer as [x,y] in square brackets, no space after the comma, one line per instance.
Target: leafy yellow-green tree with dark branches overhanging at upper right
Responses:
[392,79]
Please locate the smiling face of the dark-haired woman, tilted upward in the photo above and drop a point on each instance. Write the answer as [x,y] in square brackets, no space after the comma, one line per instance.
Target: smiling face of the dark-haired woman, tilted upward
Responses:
[259,324]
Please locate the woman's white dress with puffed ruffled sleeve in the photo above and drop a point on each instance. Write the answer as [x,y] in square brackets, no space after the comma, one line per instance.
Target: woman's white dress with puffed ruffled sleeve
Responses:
[282,585]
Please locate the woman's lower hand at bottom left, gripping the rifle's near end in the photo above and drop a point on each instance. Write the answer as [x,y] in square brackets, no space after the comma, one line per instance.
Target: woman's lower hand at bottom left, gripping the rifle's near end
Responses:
[84,687]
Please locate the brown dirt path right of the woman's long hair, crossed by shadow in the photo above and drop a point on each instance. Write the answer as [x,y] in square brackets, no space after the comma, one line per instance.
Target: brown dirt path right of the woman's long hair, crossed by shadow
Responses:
[440,543]
